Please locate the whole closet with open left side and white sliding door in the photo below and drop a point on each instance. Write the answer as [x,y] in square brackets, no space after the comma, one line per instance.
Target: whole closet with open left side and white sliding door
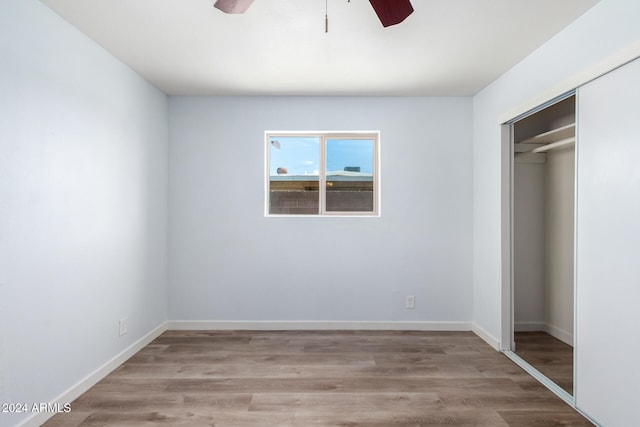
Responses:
[571,244]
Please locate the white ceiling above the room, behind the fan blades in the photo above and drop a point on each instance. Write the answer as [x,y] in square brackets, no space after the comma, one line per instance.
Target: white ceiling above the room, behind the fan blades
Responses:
[279,47]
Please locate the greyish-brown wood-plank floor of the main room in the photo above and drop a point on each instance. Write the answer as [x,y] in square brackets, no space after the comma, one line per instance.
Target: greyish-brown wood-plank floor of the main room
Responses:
[313,378]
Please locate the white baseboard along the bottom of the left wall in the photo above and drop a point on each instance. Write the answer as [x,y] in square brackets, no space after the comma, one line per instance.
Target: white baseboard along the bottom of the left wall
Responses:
[93,378]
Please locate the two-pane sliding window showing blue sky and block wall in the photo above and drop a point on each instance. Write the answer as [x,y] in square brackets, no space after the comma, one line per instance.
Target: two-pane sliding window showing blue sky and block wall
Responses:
[322,173]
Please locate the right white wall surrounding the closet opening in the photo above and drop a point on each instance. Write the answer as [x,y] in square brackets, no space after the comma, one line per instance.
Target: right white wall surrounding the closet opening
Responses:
[610,26]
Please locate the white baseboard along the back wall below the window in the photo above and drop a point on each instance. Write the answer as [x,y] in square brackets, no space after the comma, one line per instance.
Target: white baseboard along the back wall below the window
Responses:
[182,325]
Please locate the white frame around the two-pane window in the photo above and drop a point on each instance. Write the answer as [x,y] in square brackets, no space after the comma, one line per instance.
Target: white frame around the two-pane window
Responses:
[323,136]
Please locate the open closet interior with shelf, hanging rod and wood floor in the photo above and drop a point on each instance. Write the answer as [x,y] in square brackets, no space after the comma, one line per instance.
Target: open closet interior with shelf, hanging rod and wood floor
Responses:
[543,239]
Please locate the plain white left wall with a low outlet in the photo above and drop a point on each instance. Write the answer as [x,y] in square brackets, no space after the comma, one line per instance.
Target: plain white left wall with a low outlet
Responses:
[83,161]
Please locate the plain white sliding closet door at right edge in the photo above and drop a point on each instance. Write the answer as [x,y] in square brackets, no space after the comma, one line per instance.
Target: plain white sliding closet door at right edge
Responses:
[608,248]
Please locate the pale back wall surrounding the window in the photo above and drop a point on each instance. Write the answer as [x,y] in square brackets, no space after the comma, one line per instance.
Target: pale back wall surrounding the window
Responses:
[230,263]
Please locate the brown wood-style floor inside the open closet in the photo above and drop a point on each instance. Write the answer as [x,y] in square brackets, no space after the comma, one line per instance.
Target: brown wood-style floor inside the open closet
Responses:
[548,355]
